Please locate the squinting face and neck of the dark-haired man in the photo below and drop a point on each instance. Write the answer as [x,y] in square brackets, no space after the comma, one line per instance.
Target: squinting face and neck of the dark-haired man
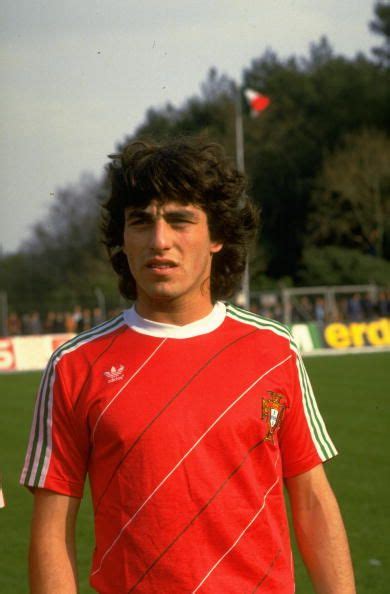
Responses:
[169,251]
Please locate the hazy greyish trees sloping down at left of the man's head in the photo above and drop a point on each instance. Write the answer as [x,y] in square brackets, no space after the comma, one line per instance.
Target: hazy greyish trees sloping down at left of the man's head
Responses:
[63,261]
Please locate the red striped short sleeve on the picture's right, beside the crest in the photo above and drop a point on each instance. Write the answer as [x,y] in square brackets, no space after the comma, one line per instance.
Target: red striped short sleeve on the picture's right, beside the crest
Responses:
[304,439]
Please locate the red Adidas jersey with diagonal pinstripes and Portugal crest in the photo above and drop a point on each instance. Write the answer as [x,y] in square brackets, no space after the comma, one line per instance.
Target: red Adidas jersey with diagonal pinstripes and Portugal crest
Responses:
[186,433]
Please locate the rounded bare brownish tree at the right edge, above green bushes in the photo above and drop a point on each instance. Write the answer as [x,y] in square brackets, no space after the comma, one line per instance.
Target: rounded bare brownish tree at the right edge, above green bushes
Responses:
[351,202]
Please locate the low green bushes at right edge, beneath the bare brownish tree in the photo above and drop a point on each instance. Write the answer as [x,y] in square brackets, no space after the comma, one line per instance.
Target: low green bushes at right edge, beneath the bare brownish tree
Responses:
[331,265]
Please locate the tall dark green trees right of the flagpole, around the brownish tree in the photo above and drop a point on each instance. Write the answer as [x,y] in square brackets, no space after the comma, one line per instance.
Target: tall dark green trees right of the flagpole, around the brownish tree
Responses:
[314,103]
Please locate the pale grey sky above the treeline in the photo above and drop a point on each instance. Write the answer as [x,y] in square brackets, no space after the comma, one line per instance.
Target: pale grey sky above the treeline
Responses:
[78,76]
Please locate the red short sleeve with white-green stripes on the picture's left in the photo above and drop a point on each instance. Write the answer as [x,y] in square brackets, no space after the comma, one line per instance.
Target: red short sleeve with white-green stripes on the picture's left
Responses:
[58,448]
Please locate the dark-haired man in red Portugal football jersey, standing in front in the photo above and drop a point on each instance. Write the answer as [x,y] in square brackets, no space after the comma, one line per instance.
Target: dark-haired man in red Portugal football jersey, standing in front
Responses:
[188,414]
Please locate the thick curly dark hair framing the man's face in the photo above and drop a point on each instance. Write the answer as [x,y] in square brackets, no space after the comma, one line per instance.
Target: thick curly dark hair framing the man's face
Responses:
[187,171]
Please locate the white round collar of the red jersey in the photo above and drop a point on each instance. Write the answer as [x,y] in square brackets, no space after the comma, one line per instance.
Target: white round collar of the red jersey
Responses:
[203,326]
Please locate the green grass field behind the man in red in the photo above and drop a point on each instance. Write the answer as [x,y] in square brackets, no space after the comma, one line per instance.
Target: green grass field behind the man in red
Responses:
[353,392]
